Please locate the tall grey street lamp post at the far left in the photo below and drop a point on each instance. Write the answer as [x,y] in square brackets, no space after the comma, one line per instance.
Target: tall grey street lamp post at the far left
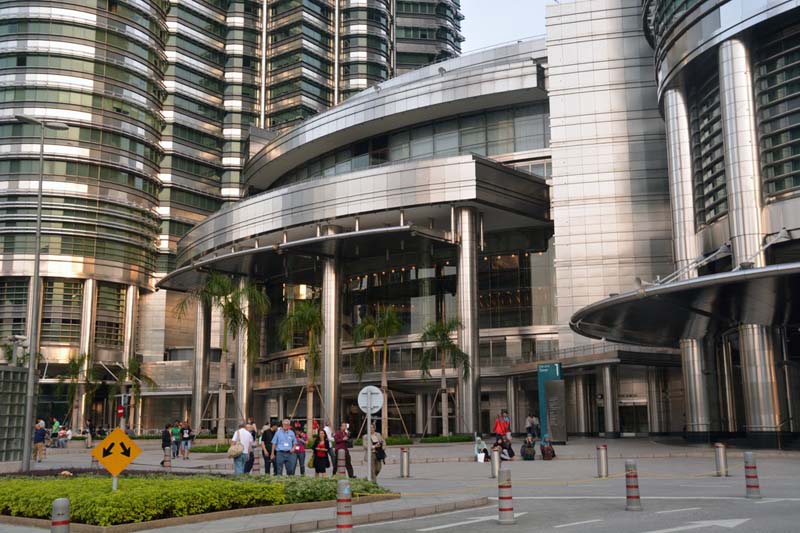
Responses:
[35,308]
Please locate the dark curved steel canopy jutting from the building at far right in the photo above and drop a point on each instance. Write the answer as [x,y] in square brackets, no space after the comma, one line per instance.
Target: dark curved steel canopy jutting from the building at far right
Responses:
[661,315]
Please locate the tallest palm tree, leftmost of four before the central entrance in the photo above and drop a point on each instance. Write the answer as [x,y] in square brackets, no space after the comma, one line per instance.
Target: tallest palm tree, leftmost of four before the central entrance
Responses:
[235,301]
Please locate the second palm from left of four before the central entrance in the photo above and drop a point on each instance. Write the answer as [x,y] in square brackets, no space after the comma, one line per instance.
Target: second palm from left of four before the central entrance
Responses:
[306,316]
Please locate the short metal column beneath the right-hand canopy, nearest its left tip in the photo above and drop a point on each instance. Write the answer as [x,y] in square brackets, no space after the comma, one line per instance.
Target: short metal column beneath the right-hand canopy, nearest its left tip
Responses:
[698,420]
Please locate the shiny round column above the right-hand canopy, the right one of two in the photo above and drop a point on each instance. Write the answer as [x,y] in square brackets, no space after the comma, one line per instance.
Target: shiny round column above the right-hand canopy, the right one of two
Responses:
[740,144]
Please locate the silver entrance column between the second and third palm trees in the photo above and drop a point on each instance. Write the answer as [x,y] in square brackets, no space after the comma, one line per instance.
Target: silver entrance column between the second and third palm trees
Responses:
[331,317]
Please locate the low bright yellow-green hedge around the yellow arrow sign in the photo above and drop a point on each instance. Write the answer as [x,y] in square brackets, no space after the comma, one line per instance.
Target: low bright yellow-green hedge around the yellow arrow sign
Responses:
[153,497]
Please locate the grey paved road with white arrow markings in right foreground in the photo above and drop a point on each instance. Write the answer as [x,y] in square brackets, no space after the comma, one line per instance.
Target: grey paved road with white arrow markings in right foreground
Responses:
[562,496]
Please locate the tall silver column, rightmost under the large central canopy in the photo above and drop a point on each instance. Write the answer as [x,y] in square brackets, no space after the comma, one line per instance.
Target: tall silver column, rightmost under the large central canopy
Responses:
[467,302]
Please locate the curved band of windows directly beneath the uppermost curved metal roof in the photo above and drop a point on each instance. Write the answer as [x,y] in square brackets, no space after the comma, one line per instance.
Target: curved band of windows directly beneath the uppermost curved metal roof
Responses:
[492,133]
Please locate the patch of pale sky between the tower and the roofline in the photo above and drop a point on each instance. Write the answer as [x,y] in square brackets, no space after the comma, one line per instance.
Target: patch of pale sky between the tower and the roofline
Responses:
[490,22]
